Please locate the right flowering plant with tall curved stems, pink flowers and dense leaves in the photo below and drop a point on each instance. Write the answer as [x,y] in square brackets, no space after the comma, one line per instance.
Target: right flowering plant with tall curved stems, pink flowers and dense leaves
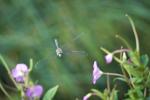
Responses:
[135,73]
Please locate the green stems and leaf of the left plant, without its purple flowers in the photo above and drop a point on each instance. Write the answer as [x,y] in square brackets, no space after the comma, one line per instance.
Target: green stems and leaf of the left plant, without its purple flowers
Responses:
[23,86]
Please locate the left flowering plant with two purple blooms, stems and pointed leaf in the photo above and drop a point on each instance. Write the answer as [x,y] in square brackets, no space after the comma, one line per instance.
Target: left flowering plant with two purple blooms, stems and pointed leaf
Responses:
[22,81]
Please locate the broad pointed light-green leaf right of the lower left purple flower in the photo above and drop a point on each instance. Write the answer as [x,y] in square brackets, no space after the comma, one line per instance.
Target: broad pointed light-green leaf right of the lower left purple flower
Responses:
[50,93]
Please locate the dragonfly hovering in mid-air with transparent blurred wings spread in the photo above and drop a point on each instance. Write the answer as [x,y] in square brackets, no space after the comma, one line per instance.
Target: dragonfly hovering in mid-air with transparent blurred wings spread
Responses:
[60,51]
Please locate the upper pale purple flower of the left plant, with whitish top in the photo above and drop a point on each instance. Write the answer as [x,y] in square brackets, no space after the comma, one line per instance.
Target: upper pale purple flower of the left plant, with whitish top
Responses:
[20,72]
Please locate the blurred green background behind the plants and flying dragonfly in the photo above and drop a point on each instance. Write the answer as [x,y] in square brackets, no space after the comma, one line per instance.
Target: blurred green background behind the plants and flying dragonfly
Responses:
[28,29]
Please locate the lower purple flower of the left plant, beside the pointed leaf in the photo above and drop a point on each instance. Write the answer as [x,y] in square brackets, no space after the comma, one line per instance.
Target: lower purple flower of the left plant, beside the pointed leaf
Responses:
[34,91]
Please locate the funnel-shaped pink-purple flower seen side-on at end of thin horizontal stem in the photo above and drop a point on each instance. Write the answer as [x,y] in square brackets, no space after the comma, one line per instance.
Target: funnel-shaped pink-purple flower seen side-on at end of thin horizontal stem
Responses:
[96,72]
